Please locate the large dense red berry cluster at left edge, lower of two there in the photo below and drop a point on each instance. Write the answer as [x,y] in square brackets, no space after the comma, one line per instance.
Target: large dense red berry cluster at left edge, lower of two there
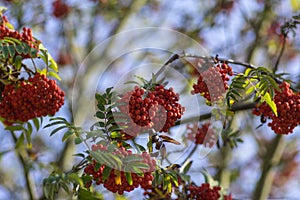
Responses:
[26,100]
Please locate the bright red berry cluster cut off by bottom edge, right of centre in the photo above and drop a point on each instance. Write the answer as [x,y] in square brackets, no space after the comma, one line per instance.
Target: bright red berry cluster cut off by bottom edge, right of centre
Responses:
[204,192]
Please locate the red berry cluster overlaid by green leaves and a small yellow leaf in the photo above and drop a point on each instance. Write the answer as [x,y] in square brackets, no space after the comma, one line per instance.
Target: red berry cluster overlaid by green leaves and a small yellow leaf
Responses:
[111,183]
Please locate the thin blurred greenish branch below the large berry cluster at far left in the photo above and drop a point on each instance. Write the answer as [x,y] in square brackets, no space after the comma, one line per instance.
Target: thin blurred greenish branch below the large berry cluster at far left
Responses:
[30,185]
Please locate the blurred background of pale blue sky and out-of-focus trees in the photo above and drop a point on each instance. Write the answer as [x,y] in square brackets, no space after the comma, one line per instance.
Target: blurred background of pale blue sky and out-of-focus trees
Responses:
[80,36]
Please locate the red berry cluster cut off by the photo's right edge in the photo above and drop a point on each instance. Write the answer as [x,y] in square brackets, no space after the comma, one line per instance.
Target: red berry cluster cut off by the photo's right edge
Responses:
[288,109]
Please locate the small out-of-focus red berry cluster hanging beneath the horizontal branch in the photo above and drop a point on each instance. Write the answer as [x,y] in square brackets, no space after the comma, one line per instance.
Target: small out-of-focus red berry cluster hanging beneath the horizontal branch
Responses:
[201,135]
